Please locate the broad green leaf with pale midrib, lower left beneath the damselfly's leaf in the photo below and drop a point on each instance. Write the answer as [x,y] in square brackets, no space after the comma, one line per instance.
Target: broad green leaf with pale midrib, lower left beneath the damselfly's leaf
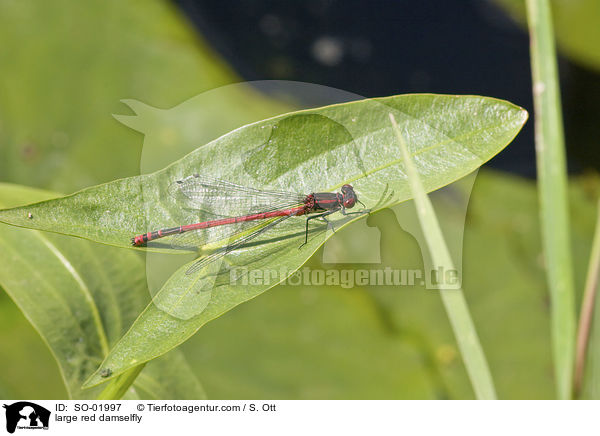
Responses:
[81,299]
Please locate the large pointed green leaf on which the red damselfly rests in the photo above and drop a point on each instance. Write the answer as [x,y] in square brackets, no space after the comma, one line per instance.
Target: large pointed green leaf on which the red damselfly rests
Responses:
[318,149]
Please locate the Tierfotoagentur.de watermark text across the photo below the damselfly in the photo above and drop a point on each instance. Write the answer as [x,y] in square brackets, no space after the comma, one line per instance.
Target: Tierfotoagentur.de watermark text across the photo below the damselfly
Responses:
[347,278]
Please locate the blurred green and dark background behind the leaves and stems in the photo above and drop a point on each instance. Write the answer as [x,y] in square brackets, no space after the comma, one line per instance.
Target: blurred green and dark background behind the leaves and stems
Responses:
[66,66]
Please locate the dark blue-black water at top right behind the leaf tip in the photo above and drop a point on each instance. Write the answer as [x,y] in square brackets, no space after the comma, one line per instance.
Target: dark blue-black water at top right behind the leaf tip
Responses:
[393,47]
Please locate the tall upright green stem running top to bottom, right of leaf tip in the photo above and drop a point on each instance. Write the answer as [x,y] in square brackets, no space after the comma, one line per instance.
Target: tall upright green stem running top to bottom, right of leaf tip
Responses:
[552,187]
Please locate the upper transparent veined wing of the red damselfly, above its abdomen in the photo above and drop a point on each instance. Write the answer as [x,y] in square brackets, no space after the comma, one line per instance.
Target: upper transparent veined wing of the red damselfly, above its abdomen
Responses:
[225,199]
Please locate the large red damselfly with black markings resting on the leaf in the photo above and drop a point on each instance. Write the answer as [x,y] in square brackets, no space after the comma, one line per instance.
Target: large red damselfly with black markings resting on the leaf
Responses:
[224,201]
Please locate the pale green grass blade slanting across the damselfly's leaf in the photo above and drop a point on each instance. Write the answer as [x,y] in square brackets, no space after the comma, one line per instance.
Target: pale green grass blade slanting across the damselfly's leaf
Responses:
[453,299]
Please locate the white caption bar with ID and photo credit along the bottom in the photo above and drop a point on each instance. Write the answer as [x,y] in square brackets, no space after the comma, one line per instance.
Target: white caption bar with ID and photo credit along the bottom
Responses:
[299,417]
